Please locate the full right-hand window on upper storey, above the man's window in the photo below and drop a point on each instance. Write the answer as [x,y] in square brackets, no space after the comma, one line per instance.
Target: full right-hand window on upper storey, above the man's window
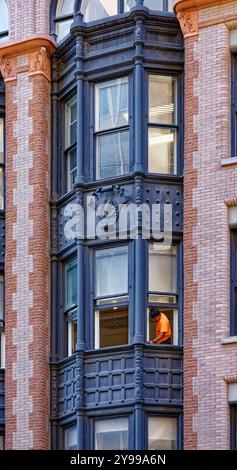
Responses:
[162,129]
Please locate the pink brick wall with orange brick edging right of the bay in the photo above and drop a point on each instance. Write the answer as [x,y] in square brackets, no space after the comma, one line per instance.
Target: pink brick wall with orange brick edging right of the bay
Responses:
[209,189]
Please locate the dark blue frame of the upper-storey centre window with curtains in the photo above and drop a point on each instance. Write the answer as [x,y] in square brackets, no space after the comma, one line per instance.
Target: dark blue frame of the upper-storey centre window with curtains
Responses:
[128,128]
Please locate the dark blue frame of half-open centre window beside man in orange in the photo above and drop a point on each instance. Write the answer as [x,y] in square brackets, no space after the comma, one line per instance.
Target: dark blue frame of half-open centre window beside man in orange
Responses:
[127,303]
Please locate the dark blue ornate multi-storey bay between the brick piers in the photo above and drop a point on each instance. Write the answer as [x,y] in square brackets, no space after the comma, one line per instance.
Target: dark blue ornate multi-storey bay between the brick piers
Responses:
[117,136]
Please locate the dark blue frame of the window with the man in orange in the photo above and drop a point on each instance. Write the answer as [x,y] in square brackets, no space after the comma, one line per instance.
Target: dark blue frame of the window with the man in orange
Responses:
[176,306]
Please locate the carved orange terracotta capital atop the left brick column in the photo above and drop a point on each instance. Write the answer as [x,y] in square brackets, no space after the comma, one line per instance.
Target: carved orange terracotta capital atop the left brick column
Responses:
[38,48]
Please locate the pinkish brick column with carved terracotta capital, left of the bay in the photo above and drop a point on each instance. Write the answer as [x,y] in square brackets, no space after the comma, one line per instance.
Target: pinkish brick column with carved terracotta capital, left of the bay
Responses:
[25,67]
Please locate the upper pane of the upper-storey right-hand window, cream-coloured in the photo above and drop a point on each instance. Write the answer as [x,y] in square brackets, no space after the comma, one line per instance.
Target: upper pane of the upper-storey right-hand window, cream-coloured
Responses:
[162,99]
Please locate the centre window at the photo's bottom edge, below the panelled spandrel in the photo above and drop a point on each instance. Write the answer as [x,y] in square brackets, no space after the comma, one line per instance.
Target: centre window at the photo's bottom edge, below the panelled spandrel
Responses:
[111,434]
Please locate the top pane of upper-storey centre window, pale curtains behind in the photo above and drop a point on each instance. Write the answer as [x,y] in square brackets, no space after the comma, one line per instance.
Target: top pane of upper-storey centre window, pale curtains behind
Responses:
[112,104]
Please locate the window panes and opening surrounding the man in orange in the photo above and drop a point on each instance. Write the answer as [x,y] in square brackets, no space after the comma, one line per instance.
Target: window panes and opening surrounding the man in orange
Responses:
[163,287]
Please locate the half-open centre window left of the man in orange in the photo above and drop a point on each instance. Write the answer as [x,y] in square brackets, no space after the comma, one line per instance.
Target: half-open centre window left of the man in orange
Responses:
[111,297]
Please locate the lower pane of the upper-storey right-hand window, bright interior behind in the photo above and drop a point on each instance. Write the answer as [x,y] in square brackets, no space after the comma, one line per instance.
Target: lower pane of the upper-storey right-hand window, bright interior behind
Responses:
[162,151]
